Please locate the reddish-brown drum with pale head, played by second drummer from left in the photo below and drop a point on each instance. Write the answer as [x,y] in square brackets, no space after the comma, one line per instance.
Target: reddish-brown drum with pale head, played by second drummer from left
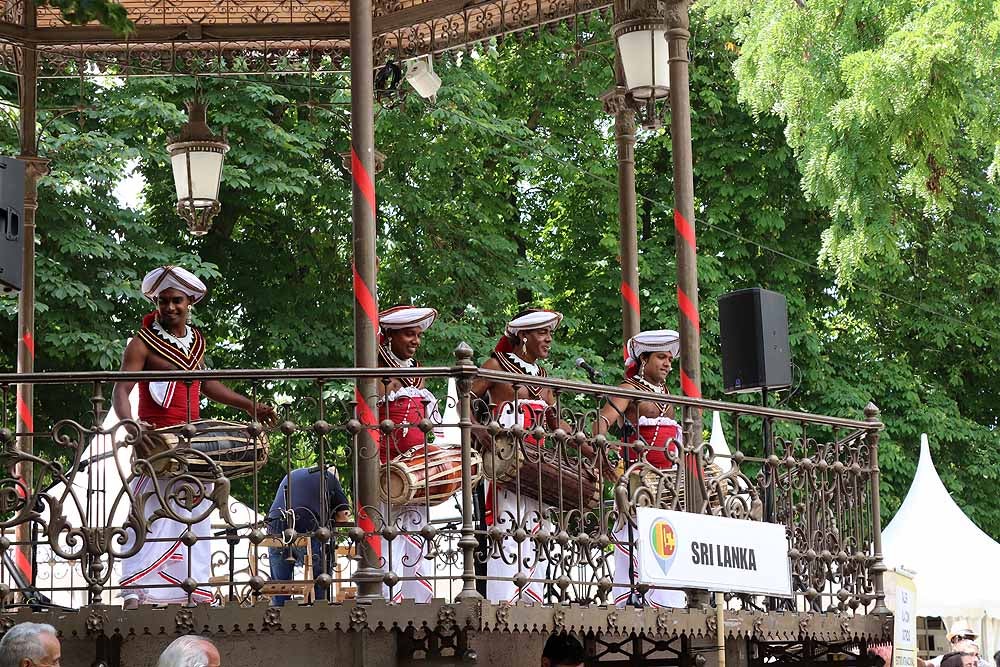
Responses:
[426,474]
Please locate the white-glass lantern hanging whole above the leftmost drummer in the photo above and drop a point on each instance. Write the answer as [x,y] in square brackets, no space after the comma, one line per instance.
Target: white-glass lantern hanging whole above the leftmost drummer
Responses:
[196,157]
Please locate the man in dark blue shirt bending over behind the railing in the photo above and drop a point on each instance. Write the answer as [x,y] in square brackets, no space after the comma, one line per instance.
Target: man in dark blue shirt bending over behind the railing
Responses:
[312,507]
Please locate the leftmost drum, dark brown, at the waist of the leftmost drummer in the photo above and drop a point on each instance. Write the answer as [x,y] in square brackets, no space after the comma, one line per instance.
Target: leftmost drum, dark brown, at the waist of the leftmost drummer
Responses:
[228,445]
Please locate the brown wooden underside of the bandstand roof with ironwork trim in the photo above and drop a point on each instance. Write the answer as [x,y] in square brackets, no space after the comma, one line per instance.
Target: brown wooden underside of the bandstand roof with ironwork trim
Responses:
[187,36]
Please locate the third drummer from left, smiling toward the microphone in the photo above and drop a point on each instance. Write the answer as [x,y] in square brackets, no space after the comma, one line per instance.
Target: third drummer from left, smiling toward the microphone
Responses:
[526,340]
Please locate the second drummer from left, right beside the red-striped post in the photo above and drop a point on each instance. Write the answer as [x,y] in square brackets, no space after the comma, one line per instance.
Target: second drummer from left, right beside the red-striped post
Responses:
[406,401]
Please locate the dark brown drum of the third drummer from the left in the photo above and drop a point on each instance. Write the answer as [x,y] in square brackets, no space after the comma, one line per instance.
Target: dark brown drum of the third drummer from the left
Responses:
[542,475]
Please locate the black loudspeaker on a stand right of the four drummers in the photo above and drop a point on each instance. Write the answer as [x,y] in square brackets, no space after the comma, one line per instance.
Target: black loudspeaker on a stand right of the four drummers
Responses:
[753,327]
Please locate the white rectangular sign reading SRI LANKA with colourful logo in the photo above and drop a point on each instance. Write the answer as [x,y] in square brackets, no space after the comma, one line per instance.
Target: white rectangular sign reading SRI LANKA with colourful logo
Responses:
[685,550]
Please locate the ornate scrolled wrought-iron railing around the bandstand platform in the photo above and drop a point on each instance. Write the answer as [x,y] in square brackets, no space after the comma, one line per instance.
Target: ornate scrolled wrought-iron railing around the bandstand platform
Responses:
[84,493]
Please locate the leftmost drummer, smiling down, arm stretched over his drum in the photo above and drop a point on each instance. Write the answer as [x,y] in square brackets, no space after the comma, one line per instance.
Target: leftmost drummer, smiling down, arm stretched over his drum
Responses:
[167,342]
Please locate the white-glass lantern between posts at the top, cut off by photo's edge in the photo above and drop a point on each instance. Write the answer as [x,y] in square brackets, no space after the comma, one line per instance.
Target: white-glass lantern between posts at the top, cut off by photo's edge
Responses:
[640,30]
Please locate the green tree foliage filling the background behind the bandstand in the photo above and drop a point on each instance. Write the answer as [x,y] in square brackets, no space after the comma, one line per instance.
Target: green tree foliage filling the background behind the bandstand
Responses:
[503,192]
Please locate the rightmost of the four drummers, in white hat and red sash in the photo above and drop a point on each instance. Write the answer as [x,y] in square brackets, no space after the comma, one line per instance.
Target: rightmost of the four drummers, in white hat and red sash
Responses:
[649,358]
